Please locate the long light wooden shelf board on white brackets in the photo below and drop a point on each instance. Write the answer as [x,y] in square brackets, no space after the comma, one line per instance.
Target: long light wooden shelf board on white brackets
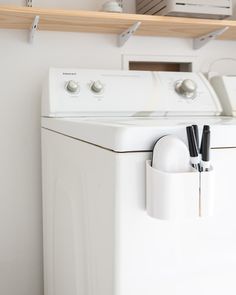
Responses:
[13,17]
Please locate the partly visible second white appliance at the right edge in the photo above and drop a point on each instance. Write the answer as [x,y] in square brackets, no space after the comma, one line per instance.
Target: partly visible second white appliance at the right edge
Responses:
[225,87]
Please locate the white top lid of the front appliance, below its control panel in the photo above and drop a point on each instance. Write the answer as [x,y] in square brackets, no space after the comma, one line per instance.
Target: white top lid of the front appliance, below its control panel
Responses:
[139,134]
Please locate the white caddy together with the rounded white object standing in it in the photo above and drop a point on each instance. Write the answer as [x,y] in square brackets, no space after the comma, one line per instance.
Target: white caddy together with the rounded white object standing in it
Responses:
[178,191]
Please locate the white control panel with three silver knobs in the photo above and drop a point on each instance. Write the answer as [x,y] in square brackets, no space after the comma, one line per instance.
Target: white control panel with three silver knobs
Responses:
[73,92]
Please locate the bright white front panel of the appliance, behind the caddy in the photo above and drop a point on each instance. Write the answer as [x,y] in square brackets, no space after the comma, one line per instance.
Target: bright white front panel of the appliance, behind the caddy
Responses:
[182,257]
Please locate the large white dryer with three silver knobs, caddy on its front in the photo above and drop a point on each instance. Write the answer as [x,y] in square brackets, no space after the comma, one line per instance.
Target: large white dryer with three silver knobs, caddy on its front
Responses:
[98,132]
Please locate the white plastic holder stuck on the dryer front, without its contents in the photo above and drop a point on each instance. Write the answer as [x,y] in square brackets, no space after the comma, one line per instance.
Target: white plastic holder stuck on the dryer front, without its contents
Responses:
[183,195]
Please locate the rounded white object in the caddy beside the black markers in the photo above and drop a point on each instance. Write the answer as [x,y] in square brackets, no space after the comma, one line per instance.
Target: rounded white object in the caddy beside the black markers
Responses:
[170,154]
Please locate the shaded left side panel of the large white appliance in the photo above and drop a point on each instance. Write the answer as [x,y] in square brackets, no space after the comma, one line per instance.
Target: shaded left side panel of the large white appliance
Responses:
[78,215]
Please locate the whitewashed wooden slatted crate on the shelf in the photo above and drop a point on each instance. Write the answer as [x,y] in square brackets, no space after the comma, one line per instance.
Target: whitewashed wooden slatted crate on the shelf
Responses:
[216,9]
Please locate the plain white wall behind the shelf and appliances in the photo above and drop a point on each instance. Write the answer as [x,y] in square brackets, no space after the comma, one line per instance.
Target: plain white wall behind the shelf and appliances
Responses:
[22,70]
